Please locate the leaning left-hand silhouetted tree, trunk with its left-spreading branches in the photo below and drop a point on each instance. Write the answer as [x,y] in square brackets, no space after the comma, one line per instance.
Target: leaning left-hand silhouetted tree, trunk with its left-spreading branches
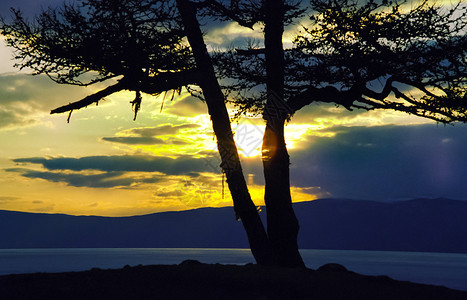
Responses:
[140,46]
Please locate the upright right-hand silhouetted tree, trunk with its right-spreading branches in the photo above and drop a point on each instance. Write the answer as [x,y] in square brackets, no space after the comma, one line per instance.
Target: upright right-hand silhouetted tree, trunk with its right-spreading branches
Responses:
[358,54]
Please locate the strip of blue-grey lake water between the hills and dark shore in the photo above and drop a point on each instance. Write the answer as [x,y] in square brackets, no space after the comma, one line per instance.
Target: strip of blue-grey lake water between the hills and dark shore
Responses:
[433,268]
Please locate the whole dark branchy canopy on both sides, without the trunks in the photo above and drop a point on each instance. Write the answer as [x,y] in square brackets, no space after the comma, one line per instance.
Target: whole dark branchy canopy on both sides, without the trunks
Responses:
[370,55]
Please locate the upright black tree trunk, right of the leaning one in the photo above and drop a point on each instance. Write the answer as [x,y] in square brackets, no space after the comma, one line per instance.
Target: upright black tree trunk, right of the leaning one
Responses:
[282,223]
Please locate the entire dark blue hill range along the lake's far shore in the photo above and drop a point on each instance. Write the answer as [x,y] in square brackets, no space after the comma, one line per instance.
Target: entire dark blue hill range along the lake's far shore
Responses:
[425,225]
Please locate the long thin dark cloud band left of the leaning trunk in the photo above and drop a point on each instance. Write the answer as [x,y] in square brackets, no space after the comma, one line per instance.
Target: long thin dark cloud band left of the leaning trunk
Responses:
[115,170]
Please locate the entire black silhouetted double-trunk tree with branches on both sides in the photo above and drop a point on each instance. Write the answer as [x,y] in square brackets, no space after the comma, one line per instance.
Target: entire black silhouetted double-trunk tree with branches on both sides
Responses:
[366,55]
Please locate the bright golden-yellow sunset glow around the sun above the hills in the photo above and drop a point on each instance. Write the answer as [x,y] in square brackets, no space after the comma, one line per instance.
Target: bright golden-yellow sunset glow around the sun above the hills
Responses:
[52,136]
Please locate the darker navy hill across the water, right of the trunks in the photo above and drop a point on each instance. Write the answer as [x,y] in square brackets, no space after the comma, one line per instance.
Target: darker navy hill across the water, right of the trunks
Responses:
[425,225]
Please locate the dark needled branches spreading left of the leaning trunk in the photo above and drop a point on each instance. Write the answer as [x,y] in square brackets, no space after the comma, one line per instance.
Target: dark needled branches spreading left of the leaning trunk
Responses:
[138,42]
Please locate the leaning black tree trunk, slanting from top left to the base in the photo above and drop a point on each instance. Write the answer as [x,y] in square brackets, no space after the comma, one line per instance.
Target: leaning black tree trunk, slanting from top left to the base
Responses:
[243,205]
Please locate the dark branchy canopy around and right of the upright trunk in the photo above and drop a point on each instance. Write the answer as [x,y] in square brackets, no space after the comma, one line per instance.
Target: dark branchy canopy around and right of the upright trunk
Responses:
[367,56]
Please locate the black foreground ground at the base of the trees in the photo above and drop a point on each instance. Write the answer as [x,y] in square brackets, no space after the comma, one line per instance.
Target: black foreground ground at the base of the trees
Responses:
[193,280]
